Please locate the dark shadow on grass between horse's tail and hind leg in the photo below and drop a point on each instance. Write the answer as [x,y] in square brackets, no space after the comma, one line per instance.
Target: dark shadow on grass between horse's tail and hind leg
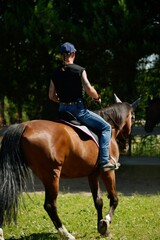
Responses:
[38,236]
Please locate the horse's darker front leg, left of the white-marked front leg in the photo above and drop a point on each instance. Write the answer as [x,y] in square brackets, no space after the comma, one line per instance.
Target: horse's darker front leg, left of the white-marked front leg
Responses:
[93,180]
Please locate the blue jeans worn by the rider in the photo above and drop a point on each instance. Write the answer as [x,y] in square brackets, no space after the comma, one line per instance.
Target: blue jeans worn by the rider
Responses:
[94,121]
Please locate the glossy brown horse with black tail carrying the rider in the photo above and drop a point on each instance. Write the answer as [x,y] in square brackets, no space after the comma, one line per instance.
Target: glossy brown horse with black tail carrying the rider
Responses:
[53,150]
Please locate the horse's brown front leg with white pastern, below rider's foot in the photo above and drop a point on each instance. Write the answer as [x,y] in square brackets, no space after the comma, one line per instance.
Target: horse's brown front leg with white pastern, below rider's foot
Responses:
[110,185]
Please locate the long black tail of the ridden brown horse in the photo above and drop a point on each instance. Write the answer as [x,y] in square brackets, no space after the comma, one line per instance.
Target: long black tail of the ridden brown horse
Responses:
[14,172]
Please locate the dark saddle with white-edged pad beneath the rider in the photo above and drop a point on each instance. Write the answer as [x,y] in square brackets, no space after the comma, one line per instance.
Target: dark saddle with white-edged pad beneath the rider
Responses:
[69,119]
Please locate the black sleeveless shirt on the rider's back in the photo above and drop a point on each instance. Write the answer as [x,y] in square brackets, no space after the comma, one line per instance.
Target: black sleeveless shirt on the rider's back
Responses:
[67,82]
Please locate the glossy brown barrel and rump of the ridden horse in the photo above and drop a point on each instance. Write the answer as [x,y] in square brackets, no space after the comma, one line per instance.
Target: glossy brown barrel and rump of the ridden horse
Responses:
[50,145]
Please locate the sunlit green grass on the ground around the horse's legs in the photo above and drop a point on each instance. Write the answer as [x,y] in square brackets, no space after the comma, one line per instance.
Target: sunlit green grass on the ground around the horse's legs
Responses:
[137,217]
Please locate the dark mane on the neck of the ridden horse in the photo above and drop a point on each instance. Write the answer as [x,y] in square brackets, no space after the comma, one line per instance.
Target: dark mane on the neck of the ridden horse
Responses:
[116,113]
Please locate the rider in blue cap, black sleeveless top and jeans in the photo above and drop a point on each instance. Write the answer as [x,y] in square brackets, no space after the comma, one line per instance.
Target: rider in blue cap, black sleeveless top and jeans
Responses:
[66,87]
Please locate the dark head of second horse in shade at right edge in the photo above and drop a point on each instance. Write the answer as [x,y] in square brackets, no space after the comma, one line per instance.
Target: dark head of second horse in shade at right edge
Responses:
[152,114]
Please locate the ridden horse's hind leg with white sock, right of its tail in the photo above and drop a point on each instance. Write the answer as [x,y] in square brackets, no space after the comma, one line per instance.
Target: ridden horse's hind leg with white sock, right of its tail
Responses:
[50,205]
